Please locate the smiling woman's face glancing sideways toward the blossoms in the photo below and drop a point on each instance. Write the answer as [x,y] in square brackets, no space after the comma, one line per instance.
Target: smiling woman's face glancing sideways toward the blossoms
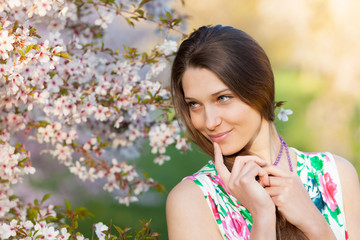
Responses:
[218,113]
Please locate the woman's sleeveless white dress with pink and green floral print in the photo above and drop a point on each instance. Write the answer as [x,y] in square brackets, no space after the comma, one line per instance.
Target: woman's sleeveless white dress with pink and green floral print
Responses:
[319,175]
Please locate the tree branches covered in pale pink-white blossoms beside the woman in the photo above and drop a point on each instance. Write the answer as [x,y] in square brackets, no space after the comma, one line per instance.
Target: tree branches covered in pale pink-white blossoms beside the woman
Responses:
[83,101]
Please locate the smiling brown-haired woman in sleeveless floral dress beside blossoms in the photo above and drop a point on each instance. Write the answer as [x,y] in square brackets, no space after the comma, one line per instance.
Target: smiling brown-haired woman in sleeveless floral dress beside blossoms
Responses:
[223,89]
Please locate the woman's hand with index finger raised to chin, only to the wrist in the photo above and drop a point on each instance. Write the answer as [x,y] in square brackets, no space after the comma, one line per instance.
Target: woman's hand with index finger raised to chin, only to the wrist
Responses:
[242,181]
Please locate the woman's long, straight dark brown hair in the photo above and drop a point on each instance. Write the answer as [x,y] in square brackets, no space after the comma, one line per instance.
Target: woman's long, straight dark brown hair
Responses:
[242,65]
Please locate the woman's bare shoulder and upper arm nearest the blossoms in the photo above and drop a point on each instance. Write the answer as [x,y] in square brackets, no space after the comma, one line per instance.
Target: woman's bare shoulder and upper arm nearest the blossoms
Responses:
[188,215]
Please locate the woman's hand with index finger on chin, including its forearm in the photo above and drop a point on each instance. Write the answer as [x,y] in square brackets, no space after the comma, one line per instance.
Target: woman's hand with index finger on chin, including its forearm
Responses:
[246,183]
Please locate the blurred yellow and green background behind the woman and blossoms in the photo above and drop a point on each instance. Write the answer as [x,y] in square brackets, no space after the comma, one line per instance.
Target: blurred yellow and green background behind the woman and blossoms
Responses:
[315,52]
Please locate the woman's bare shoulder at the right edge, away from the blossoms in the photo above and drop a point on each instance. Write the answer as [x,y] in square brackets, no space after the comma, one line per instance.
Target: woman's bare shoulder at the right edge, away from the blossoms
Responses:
[351,195]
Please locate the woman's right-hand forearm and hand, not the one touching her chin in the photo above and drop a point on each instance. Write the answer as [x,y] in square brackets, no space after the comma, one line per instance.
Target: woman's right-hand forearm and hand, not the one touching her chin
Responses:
[293,202]
